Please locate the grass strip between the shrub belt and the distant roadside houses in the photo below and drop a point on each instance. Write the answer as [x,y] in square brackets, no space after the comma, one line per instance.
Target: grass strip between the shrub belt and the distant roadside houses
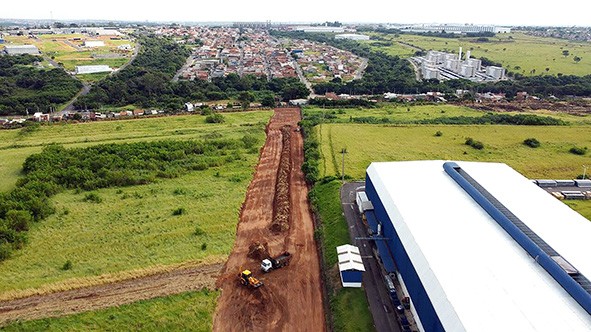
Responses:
[16,146]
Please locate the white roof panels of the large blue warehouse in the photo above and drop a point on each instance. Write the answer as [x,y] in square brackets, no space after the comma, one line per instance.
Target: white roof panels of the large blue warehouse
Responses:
[477,277]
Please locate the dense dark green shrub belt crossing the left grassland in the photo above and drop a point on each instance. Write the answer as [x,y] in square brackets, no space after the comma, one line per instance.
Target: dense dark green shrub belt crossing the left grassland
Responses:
[115,165]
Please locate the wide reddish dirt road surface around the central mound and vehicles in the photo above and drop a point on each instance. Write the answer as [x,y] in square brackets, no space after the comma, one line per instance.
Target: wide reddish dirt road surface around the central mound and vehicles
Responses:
[291,298]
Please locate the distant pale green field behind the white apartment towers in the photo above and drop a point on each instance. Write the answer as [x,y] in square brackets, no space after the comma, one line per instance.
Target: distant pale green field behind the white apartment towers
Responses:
[519,53]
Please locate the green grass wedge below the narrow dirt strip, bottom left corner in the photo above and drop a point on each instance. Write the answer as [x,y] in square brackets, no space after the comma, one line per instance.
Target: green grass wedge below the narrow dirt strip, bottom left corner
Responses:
[184,312]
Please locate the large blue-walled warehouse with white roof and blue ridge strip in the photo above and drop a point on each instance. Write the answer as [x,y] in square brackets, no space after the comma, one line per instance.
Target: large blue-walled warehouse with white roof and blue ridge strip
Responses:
[478,247]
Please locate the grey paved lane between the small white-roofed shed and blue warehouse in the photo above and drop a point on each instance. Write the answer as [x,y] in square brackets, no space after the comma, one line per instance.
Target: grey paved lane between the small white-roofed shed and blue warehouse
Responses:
[384,315]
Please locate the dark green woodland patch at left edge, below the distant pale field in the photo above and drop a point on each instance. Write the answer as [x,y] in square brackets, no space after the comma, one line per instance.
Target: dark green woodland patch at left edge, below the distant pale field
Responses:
[24,86]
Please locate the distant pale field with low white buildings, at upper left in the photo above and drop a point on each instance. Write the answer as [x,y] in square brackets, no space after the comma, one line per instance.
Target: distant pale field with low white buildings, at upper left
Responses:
[68,50]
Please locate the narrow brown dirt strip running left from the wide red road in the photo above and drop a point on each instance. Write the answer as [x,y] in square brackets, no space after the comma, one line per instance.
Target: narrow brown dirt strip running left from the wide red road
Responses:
[108,295]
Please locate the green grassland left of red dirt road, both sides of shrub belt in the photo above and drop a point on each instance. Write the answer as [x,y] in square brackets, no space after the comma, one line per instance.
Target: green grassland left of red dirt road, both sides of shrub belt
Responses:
[130,228]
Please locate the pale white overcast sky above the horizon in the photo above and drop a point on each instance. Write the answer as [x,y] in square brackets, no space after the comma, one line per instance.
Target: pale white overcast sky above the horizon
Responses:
[498,12]
